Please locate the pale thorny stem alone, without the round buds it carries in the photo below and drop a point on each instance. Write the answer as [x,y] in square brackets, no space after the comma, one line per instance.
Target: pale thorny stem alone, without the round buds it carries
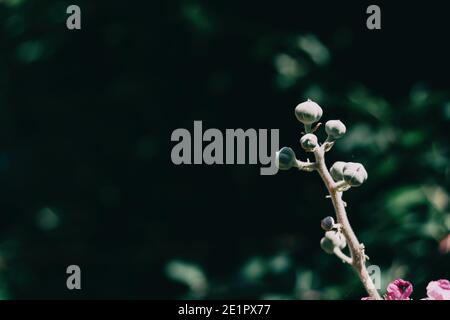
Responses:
[358,257]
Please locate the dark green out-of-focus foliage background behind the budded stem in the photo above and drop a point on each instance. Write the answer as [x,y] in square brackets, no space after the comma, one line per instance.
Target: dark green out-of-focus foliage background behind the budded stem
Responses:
[85,124]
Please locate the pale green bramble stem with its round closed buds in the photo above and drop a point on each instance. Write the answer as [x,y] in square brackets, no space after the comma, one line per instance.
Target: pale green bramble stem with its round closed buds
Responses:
[341,177]
